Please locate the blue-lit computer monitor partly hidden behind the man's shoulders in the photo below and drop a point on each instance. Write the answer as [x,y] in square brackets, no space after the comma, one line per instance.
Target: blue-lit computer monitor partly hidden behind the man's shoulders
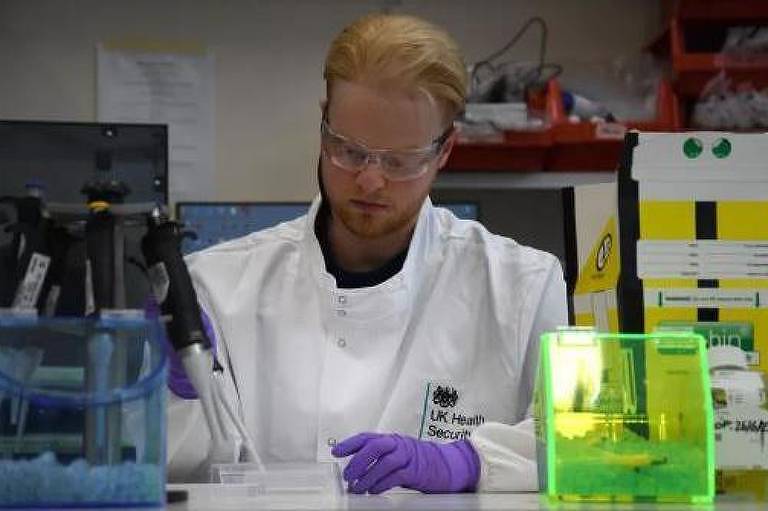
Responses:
[215,222]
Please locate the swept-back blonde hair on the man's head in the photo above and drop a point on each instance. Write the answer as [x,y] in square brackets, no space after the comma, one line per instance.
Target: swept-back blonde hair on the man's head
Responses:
[402,49]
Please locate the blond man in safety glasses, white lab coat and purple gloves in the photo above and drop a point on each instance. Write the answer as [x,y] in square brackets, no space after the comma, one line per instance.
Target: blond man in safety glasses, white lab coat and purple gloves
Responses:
[378,326]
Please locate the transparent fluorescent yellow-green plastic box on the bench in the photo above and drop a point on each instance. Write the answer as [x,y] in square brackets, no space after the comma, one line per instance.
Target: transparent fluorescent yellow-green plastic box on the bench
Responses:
[624,417]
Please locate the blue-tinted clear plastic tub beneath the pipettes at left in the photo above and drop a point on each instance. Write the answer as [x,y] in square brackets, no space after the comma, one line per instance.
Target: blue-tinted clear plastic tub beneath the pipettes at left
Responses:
[82,412]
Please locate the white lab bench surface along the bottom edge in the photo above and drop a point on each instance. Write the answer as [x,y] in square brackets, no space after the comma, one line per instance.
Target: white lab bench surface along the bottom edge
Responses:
[202,497]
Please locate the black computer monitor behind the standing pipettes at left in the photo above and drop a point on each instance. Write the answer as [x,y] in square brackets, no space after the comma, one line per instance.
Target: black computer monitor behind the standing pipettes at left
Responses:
[61,158]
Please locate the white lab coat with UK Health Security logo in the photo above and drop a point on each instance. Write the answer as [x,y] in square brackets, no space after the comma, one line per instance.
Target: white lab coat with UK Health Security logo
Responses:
[445,349]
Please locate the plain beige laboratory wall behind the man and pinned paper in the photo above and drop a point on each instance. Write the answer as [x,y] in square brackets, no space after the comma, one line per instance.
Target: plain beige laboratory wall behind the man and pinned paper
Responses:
[268,60]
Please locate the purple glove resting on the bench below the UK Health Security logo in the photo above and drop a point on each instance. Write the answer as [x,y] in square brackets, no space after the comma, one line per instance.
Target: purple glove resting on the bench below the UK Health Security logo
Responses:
[383,461]
